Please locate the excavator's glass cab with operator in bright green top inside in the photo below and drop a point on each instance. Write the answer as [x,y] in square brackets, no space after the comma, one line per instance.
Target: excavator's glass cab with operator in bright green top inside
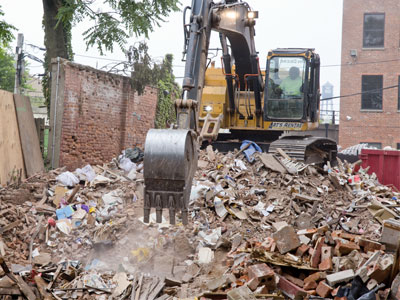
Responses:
[292,86]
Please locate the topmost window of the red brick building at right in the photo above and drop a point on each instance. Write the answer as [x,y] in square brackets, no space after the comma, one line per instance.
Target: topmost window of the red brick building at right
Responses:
[374,30]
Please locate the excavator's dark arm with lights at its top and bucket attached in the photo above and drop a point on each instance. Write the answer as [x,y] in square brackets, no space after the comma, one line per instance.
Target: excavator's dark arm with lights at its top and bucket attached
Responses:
[170,158]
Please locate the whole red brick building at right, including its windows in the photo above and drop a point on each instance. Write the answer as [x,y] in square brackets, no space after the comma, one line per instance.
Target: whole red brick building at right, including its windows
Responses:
[371,66]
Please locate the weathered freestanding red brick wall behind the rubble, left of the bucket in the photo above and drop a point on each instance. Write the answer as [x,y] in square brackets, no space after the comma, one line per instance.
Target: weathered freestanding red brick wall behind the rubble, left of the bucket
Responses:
[101,115]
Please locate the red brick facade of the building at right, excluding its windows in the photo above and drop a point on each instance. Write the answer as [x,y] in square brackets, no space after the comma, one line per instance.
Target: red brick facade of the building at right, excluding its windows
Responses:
[369,126]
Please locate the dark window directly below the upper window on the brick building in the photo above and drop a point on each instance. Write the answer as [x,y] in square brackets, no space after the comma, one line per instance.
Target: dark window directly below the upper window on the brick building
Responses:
[371,88]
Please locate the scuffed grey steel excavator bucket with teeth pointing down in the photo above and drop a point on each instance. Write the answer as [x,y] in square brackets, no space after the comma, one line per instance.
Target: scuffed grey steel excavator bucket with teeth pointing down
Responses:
[170,160]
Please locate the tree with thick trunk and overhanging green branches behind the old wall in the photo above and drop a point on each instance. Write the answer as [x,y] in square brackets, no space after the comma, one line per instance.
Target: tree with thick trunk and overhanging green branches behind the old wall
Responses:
[121,19]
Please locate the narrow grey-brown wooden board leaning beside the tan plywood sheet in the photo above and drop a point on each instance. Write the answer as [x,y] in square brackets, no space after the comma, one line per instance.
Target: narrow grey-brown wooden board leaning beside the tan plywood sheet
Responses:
[28,134]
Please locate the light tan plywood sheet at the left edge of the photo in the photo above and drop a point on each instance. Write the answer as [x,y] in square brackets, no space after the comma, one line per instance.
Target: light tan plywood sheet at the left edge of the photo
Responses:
[10,146]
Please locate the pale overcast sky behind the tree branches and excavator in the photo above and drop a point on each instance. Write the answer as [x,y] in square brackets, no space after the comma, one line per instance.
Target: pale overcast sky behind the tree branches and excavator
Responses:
[285,23]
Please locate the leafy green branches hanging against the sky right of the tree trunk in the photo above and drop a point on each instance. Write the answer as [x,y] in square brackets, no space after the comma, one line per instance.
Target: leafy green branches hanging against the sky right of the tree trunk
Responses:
[125,18]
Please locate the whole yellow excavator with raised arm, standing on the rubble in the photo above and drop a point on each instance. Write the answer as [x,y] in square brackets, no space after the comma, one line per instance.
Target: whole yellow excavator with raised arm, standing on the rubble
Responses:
[272,108]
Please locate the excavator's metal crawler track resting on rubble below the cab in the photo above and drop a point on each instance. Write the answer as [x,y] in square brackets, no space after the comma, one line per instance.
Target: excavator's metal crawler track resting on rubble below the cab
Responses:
[307,149]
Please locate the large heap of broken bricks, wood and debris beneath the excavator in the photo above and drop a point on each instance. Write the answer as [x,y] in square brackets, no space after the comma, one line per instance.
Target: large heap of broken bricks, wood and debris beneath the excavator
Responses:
[257,230]
